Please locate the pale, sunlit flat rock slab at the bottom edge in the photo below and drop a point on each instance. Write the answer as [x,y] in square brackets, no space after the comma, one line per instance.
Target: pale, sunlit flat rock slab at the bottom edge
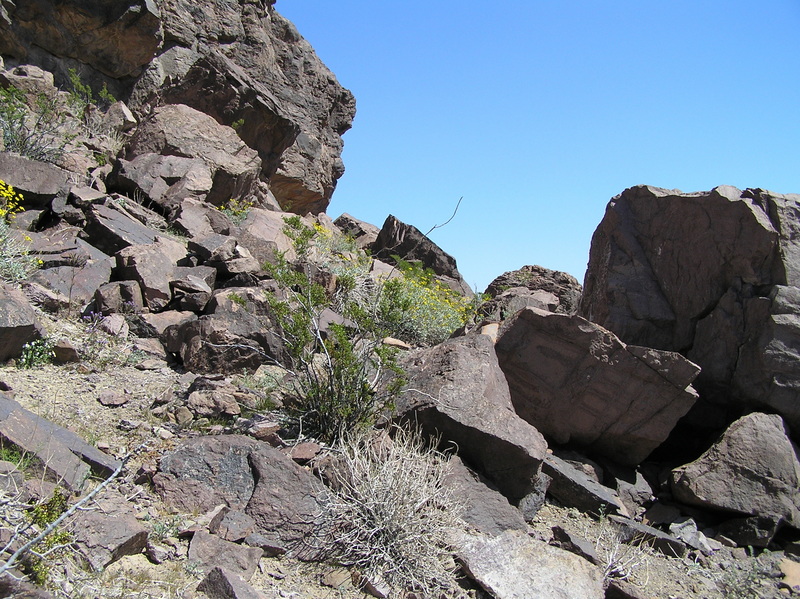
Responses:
[516,566]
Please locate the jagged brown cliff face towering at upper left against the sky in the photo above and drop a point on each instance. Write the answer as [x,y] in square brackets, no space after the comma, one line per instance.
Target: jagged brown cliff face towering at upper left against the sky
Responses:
[238,61]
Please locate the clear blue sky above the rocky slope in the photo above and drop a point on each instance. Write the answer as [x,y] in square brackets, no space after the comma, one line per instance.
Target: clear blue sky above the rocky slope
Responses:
[538,112]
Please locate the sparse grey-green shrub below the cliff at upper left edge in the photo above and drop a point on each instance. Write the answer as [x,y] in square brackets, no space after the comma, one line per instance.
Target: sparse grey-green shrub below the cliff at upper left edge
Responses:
[33,128]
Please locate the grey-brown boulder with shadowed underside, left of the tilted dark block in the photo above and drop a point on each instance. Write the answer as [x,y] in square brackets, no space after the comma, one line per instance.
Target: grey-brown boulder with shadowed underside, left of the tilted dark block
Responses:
[457,391]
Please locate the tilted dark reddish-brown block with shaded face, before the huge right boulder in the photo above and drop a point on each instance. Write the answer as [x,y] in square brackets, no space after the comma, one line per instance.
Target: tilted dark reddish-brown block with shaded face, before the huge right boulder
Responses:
[623,401]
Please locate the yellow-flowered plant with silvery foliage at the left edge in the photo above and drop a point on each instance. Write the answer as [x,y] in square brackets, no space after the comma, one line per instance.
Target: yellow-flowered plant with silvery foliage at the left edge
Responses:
[16,262]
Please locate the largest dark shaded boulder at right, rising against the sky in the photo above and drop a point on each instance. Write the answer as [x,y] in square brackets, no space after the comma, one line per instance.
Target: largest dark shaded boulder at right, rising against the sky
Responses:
[712,275]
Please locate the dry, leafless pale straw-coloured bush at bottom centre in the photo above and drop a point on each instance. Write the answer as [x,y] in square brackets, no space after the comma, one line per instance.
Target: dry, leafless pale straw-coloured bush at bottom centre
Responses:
[388,514]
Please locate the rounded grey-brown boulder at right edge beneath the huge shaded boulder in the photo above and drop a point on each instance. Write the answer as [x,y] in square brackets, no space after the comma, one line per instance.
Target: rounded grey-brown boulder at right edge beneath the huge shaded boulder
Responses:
[753,469]
